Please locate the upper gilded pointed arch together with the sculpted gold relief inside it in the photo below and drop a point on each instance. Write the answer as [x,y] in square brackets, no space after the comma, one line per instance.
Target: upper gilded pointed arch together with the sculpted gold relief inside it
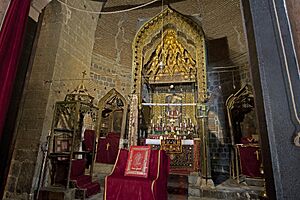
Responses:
[182,52]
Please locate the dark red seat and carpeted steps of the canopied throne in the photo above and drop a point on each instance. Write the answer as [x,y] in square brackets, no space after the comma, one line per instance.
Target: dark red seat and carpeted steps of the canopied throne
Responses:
[81,180]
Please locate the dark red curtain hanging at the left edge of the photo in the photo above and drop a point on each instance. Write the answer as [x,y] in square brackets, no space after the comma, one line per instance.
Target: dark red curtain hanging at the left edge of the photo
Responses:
[11,40]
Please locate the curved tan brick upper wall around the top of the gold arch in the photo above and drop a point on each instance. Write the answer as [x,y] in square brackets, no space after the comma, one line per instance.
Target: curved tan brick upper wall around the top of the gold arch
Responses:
[218,18]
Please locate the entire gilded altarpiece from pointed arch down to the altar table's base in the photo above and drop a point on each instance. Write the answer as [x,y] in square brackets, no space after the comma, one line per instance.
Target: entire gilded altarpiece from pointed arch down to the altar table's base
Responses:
[169,80]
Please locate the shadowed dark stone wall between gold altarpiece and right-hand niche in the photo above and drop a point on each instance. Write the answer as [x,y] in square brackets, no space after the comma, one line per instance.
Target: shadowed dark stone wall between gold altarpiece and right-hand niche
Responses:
[221,84]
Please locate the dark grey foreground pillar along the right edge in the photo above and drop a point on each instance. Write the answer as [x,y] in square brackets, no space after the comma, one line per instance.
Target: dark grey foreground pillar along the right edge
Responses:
[276,84]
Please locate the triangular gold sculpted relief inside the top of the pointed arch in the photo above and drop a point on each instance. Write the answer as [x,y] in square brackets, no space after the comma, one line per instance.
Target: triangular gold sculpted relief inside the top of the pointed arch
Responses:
[178,66]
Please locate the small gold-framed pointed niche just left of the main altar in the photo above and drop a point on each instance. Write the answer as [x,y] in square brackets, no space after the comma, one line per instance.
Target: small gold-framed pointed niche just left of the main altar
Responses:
[112,114]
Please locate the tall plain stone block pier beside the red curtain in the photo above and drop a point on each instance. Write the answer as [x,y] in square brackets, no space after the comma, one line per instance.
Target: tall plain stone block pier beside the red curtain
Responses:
[63,51]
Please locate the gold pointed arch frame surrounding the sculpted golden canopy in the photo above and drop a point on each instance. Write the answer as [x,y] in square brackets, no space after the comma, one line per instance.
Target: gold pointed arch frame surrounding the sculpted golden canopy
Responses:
[150,36]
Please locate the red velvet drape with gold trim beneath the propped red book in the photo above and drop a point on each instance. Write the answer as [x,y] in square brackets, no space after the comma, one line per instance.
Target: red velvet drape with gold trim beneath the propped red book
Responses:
[120,187]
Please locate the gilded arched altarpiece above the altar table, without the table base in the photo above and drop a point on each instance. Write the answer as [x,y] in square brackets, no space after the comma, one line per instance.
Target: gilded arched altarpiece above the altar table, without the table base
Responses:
[168,51]
